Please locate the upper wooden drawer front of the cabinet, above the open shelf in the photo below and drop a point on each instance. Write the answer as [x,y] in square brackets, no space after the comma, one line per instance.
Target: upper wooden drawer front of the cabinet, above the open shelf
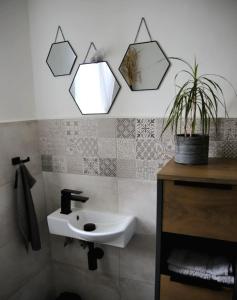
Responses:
[200,210]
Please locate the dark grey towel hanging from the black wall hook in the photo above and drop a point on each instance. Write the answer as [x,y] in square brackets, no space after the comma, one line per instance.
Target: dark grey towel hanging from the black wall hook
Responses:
[27,220]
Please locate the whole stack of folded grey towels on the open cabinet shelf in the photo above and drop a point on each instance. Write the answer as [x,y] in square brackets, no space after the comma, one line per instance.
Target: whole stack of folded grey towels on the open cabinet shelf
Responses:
[201,265]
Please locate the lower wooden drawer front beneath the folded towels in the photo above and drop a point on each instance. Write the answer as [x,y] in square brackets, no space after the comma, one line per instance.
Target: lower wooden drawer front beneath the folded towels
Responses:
[171,290]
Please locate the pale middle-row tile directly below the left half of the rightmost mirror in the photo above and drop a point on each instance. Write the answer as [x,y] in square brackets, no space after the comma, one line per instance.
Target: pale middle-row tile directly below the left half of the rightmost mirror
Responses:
[126,148]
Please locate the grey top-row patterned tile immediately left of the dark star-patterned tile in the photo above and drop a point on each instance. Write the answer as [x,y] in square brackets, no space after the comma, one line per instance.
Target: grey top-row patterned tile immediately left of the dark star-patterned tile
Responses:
[126,128]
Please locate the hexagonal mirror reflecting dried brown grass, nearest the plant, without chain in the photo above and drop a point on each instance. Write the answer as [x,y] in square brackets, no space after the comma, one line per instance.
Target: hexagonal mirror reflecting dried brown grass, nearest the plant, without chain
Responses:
[144,66]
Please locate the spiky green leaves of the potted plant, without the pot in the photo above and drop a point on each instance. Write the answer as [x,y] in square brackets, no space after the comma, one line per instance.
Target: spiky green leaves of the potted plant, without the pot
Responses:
[197,100]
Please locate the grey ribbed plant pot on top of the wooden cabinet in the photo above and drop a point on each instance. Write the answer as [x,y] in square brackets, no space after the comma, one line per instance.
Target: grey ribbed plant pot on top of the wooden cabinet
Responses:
[191,150]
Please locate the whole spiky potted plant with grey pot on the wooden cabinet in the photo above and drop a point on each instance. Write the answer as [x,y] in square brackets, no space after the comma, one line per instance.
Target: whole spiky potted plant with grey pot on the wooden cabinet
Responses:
[194,107]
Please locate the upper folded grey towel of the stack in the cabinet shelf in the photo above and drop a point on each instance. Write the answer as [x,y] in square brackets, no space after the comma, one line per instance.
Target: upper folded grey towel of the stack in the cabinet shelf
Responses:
[200,262]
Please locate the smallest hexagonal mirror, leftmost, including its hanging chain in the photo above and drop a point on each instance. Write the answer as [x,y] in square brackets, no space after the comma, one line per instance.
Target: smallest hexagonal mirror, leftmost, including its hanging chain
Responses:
[61,57]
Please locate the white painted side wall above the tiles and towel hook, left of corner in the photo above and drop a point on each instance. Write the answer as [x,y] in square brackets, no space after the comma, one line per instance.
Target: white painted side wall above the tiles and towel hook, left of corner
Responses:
[16,84]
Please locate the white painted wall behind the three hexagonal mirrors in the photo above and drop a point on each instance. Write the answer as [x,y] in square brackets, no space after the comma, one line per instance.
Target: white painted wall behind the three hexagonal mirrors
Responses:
[184,28]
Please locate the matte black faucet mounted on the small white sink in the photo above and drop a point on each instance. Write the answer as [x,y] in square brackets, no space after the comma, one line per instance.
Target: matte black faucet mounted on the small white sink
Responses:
[66,197]
